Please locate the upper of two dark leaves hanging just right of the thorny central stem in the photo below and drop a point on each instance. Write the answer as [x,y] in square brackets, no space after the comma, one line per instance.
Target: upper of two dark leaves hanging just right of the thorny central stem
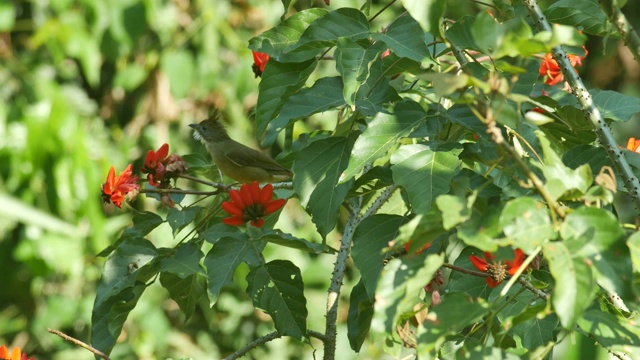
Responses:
[372,235]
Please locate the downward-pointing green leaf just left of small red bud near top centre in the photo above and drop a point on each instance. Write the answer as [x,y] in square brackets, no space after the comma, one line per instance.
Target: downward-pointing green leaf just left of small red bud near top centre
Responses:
[353,60]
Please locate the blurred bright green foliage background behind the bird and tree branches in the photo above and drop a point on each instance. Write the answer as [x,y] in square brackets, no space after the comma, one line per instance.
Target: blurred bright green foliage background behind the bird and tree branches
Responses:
[88,84]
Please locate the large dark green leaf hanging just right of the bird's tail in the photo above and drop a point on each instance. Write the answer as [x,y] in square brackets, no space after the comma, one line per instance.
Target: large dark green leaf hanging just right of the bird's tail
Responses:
[318,168]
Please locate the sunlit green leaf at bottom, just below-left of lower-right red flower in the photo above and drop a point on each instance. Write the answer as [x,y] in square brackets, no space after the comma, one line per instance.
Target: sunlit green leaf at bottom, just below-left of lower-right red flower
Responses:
[456,312]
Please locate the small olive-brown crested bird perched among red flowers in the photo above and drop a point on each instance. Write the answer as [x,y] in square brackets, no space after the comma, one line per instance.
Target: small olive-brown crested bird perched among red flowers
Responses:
[239,162]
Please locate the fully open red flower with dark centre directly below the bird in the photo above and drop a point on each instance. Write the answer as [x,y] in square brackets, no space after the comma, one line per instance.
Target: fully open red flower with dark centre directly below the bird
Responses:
[250,204]
